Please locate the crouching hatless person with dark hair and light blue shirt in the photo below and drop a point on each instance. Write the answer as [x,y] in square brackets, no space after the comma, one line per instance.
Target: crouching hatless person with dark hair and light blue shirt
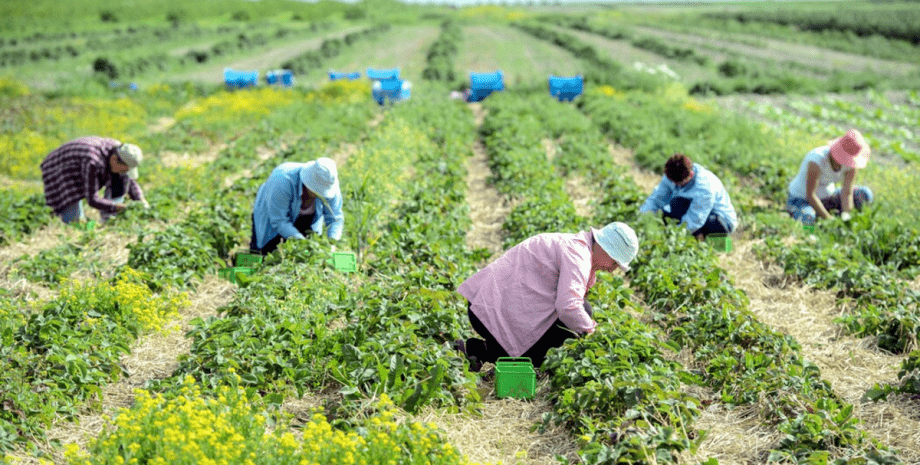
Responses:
[694,196]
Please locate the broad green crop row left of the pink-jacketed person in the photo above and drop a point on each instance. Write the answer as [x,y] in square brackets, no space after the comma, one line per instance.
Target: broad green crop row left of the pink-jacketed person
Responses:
[365,334]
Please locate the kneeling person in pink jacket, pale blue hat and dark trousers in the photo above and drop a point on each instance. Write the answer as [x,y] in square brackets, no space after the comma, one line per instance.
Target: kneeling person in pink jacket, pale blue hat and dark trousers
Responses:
[533,297]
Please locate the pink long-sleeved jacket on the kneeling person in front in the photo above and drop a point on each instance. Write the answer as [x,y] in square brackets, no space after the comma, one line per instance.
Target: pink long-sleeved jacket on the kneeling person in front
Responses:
[519,296]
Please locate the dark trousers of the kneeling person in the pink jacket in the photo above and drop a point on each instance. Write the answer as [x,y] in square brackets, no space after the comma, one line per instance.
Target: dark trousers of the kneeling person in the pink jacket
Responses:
[489,350]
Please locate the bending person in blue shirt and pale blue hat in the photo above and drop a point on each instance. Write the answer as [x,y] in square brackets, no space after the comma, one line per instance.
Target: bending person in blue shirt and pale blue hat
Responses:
[296,200]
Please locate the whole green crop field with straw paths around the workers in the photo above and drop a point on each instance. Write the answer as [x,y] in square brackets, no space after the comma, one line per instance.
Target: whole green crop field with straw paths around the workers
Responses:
[123,343]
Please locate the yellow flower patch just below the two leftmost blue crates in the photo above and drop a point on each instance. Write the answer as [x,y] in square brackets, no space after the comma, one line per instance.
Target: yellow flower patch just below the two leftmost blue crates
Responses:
[232,106]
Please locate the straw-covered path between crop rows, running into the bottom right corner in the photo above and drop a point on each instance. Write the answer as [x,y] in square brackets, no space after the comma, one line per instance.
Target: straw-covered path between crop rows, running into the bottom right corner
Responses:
[851,365]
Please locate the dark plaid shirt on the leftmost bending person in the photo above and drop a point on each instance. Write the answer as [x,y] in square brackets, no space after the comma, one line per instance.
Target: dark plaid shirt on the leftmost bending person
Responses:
[78,170]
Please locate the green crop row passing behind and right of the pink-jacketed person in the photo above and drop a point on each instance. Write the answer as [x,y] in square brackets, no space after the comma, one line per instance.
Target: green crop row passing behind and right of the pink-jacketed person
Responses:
[617,389]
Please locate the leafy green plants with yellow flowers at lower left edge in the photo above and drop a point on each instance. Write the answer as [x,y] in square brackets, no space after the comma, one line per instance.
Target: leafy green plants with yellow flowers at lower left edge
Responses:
[58,355]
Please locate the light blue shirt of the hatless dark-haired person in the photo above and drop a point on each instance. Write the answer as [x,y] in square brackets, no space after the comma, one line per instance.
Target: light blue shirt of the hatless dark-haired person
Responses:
[706,193]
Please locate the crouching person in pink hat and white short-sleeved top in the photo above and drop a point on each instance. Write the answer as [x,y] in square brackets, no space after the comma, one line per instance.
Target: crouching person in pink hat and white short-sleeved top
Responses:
[812,194]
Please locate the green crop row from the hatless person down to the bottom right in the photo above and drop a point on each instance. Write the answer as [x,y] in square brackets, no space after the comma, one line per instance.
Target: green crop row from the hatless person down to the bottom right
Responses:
[689,297]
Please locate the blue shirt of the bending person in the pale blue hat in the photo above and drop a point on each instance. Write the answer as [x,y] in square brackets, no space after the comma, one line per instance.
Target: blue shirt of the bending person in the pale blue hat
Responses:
[278,205]
